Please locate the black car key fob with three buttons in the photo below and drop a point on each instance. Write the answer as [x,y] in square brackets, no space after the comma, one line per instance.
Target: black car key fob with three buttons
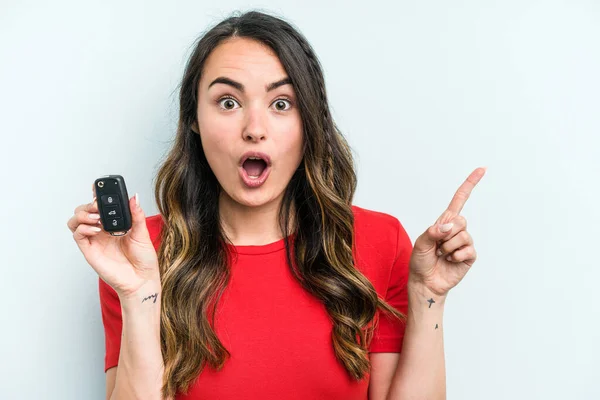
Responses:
[113,204]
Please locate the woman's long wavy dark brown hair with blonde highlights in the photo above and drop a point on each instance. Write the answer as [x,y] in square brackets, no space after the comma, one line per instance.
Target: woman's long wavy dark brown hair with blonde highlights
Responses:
[193,254]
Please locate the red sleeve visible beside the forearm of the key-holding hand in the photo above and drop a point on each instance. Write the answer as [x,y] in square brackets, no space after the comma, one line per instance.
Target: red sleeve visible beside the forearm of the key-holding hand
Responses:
[113,323]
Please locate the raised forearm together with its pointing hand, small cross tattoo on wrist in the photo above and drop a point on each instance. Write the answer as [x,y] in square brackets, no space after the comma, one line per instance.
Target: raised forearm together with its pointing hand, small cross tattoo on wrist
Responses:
[440,258]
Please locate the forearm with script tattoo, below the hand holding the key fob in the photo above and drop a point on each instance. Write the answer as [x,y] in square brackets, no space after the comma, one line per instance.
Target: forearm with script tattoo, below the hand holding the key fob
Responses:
[140,370]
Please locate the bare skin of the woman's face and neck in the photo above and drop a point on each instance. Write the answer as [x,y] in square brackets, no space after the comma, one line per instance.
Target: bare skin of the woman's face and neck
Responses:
[255,119]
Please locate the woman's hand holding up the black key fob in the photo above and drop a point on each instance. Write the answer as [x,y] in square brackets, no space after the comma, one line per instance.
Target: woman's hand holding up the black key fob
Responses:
[126,262]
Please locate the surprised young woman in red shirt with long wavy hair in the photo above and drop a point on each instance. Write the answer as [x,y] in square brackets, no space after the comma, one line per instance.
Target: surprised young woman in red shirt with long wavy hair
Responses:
[259,279]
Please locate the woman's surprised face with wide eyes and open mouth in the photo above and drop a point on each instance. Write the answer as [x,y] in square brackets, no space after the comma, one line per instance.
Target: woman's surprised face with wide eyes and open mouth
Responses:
[243,106]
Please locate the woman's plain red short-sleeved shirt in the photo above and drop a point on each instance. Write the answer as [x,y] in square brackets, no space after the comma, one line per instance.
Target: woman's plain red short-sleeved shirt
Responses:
[279,336]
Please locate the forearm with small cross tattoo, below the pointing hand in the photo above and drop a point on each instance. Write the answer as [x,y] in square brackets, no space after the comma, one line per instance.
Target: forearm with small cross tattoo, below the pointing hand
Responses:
[421,371]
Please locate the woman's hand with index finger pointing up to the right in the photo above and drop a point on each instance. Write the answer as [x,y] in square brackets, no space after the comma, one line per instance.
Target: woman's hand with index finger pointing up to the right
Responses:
[441,257]
